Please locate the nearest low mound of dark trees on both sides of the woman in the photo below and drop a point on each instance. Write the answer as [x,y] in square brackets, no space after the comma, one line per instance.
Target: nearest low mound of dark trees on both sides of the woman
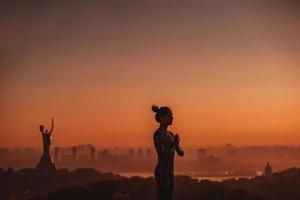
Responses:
[137,188]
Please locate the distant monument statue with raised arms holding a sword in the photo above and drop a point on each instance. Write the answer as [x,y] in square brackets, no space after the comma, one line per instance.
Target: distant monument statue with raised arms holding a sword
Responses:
[46,164]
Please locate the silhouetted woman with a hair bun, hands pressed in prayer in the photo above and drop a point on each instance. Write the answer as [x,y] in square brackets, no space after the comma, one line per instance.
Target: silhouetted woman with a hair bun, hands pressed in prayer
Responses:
[166,143]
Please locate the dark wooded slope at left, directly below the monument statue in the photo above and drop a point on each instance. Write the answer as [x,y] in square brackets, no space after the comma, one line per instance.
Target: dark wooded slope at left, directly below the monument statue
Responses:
[27,183]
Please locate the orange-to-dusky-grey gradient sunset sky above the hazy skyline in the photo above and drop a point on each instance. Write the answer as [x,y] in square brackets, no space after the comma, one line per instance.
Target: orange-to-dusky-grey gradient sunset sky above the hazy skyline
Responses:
[230,71]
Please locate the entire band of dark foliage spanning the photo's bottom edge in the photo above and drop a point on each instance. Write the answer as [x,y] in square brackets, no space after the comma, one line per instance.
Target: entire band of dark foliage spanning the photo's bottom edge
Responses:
[91,184]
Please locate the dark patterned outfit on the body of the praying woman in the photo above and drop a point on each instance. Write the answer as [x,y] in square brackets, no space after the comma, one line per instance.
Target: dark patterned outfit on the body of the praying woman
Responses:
[164,171]
